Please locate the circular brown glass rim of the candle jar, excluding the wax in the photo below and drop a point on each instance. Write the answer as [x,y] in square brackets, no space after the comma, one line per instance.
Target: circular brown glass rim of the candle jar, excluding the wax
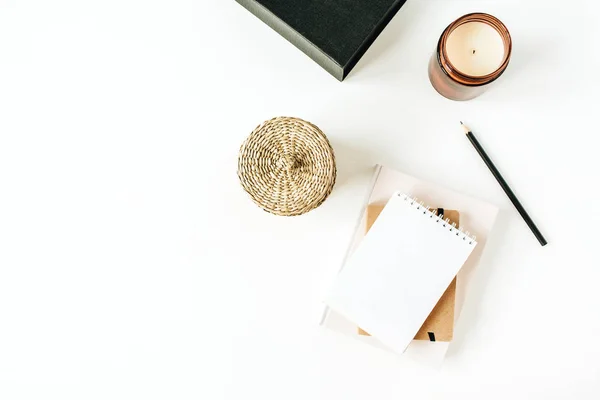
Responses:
[474,80]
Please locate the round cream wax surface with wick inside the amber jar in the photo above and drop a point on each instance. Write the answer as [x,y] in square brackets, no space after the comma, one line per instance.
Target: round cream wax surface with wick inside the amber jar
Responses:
[475,49]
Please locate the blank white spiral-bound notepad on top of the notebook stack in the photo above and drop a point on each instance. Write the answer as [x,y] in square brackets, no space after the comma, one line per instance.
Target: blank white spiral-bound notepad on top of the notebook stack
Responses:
[400,270]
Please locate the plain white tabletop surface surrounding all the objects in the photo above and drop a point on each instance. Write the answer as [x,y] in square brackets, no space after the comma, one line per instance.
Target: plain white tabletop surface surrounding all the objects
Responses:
[133,266]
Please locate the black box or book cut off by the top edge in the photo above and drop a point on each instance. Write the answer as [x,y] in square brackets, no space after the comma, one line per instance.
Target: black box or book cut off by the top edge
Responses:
[334,33]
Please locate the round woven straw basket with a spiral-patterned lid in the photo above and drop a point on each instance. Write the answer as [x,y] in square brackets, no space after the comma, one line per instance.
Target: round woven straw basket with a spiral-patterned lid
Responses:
[287,166]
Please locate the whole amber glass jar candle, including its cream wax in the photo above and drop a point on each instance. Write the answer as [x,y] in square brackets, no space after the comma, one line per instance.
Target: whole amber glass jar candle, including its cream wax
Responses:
[469,56]
